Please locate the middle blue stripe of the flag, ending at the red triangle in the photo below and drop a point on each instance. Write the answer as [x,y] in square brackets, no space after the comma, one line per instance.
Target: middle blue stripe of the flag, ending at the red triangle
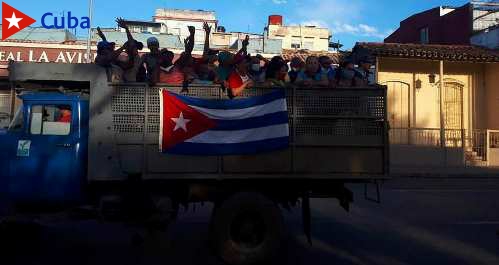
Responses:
[253,122]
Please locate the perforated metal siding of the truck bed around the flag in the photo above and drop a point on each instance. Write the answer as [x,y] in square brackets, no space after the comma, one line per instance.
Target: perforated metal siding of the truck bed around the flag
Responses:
[341,112]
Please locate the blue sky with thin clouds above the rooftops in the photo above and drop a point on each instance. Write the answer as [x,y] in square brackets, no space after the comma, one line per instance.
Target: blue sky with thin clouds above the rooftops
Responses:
[349,21]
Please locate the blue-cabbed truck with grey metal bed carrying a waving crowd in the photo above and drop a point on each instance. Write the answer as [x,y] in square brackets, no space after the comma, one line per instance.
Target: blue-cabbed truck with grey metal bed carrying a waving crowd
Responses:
[78,140]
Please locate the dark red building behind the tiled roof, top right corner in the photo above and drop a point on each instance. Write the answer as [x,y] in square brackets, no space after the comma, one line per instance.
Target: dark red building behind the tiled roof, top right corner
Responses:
[438,25]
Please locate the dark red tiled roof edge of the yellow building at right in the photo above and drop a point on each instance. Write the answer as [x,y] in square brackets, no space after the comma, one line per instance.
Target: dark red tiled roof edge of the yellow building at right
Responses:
[462,53]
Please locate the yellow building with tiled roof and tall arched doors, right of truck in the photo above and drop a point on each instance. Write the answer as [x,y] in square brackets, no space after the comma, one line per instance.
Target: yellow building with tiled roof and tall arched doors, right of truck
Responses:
[442,104]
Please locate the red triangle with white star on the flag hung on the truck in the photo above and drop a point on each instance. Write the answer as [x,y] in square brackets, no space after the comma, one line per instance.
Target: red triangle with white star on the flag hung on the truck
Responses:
[180,122]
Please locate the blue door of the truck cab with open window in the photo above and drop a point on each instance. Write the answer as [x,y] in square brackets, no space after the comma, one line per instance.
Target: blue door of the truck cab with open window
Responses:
[42,167]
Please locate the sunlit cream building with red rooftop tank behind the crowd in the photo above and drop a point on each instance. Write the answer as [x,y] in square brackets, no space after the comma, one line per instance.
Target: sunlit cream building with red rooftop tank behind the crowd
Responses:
[298,37]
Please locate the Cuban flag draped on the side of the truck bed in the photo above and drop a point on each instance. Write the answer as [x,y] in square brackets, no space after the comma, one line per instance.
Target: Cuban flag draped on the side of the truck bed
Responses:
[194,126]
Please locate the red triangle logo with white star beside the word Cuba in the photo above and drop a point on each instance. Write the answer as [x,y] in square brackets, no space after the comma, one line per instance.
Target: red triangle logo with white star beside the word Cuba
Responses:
[13,21]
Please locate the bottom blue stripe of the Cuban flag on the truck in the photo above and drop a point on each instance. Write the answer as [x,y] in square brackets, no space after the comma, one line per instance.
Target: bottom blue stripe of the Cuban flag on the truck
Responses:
[186,148]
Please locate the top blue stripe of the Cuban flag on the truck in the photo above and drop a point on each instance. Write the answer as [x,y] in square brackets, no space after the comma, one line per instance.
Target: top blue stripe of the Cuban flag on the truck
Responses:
[232,103]
